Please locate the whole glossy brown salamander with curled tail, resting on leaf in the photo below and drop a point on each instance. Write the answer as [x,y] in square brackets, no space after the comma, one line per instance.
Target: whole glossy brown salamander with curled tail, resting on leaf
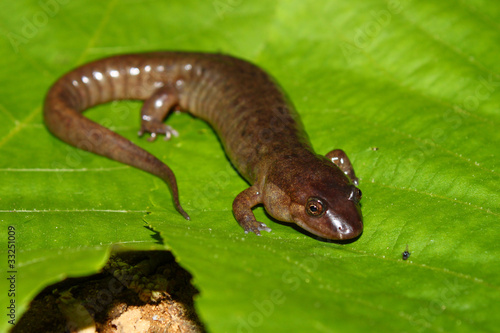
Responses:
[257,124]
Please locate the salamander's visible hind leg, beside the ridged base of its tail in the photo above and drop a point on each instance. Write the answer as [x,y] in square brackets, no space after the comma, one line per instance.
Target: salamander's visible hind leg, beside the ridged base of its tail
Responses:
[155,110]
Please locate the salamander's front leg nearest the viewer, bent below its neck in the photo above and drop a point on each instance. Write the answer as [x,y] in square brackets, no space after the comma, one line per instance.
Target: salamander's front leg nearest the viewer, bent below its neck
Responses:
[242,210]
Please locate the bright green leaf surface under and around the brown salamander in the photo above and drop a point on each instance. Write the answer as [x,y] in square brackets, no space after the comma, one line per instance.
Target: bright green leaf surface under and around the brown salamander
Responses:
[410,90]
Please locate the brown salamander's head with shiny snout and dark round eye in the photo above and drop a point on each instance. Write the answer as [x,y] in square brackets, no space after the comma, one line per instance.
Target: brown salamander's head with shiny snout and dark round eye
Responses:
[319,198]
